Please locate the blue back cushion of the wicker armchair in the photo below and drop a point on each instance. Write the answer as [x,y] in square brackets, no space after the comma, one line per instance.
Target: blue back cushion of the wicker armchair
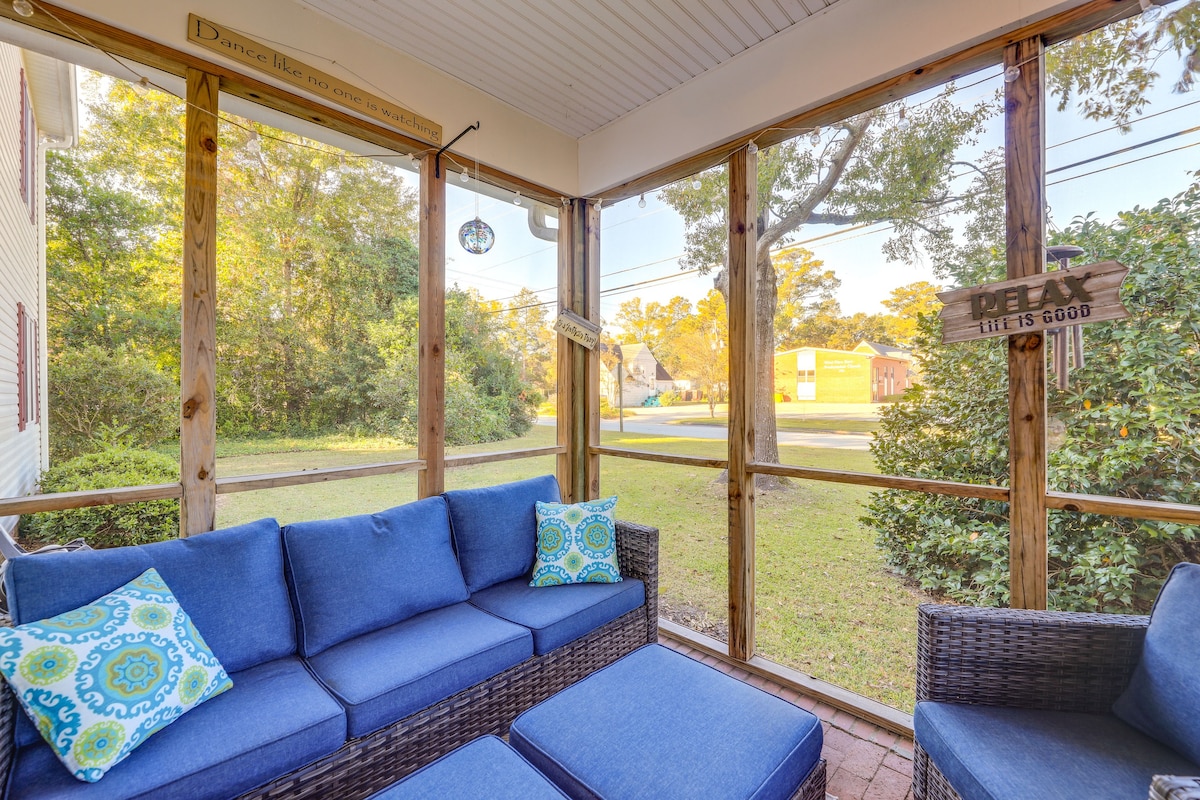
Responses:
[1163,699]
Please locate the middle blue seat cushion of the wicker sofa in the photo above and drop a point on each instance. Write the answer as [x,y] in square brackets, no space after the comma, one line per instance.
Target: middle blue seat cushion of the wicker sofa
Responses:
[388,675]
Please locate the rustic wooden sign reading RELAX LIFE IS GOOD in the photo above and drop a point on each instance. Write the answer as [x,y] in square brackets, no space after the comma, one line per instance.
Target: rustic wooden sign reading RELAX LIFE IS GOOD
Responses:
[1083,294]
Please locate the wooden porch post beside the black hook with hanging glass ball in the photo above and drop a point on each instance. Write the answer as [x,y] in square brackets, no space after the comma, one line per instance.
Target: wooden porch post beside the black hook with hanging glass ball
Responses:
[431,332]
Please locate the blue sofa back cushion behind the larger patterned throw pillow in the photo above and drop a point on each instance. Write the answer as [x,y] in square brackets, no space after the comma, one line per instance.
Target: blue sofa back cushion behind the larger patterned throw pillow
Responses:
[231,582]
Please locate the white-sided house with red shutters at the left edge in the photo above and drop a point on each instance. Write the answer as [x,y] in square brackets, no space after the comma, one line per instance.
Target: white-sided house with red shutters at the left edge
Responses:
[38,111]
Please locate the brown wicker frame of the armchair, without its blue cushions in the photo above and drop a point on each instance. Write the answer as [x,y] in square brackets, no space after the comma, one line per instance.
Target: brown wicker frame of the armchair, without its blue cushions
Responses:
[1055,661]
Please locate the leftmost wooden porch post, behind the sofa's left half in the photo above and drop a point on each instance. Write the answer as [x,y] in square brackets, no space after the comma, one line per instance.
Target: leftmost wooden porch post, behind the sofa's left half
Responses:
[197,371]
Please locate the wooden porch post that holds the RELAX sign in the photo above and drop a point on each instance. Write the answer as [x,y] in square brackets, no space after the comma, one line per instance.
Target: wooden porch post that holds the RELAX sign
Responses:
[1025,232]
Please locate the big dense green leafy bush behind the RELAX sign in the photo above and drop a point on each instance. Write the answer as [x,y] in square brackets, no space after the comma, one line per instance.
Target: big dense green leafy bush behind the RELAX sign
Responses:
[1131,429]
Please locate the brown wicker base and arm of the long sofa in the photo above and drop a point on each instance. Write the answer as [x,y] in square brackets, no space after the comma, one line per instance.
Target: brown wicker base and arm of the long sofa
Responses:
[373,762]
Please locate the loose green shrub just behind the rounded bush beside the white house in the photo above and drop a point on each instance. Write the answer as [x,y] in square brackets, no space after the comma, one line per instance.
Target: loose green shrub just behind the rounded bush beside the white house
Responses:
[100,399]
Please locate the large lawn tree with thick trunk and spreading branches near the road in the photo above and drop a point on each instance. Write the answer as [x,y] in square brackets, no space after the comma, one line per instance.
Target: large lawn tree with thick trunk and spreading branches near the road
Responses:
[865,170]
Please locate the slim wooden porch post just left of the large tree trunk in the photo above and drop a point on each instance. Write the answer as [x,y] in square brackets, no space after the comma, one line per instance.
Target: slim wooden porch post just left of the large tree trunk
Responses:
[743,248]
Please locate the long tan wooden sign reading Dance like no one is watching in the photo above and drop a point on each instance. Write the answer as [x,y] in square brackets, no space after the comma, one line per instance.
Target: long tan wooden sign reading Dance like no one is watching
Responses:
[266,59]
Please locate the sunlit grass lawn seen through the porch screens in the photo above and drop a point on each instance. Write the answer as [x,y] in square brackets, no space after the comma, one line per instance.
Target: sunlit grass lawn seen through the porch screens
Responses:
[826,603]
